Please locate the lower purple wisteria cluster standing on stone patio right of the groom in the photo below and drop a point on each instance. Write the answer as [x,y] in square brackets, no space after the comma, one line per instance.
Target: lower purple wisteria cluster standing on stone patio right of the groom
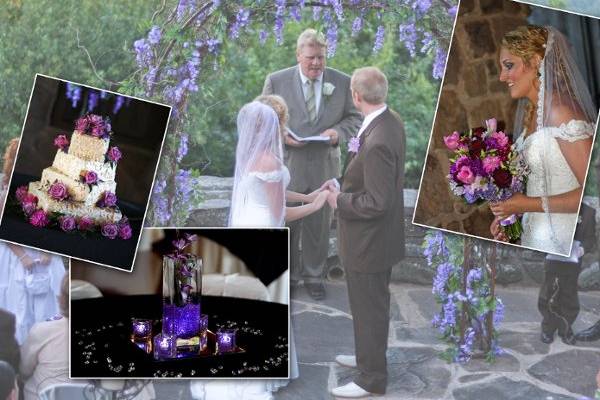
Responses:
[470,311]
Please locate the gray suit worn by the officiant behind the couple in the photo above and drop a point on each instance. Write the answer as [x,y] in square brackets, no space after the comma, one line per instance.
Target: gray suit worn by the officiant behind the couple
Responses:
[314,163]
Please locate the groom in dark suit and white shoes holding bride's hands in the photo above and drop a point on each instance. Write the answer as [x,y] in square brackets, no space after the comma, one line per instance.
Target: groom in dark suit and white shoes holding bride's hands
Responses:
[370,210]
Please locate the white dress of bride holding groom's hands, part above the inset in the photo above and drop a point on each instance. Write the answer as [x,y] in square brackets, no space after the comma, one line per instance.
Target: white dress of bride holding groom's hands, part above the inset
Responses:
[254,201]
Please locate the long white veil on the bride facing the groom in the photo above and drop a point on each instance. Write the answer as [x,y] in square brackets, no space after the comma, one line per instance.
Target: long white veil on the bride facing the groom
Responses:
[260,152]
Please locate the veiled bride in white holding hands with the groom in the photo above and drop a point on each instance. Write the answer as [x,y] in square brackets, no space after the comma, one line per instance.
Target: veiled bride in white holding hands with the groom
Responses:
[258,200]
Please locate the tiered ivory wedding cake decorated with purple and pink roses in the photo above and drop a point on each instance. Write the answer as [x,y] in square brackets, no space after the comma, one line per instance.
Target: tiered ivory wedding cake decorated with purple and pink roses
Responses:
[79,187]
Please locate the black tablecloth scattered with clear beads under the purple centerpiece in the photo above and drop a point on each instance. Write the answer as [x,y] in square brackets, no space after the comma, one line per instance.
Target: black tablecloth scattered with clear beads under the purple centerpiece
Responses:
[100,345]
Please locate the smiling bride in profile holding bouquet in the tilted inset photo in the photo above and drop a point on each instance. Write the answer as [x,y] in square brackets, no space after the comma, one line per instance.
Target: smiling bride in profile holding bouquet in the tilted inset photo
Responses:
[556,122]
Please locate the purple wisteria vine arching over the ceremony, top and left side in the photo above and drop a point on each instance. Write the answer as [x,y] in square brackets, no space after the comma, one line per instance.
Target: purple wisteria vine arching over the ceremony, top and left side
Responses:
[184,44]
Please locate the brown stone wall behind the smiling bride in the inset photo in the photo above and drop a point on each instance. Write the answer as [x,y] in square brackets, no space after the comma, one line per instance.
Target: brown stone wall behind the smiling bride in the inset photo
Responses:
[471,93]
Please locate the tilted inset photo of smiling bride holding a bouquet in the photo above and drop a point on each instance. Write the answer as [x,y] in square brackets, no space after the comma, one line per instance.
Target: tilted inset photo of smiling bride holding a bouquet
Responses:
[514,127]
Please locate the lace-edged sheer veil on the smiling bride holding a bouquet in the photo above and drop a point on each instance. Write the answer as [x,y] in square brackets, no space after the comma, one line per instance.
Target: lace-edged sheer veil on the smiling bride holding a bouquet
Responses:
[561,87]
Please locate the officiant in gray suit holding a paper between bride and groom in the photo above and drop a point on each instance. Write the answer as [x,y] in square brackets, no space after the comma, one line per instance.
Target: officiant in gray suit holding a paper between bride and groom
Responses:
[320,104]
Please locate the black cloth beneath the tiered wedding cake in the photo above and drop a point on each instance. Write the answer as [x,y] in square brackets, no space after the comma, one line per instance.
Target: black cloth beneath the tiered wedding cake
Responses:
[93,247]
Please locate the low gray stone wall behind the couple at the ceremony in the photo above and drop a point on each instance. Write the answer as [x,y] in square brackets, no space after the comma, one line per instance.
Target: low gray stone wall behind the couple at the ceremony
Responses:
[516,266]
